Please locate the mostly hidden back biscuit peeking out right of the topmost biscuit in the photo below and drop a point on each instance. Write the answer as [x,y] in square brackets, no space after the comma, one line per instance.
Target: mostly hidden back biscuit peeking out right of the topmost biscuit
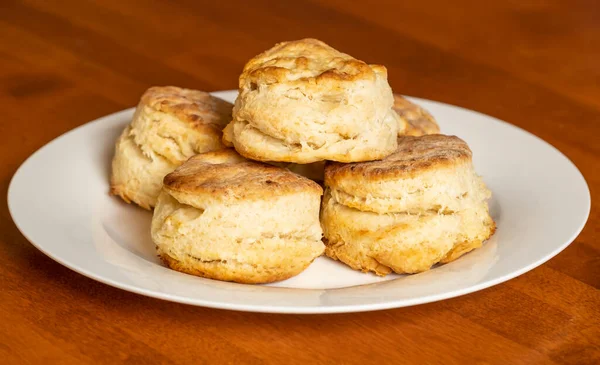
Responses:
[418,121]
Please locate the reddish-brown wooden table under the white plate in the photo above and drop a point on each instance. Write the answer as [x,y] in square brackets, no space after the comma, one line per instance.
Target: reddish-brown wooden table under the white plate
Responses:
[64,63]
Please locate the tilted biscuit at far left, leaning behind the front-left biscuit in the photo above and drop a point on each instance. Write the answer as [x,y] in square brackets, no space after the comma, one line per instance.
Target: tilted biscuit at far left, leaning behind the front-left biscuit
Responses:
[170,125]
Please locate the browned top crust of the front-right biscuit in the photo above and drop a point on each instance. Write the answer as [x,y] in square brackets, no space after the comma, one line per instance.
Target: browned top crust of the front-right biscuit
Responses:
[413,156]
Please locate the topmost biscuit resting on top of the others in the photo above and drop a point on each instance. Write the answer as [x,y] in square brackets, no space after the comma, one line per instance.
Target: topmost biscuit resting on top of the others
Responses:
[304,102]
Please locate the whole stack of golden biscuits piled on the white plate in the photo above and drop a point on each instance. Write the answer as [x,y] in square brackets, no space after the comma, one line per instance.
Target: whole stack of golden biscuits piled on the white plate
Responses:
[317,155]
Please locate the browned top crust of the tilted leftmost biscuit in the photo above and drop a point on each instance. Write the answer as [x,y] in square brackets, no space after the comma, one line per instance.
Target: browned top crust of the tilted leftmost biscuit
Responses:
[196,107]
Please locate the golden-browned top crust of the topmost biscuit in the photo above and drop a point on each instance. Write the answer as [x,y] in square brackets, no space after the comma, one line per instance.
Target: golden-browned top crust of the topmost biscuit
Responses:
[306,60]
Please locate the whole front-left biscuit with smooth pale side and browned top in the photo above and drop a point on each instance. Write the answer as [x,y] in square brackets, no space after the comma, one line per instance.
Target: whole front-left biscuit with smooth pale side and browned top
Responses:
[223,217]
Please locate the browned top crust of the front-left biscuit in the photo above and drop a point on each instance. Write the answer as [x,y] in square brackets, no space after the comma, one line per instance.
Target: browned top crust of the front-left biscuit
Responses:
[225,176]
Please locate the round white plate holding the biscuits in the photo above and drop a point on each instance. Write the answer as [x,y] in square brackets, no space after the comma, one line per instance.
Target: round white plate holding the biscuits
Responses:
[58,198]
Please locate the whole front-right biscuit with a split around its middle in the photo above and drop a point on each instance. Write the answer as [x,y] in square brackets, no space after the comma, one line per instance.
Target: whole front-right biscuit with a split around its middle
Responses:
[420,206]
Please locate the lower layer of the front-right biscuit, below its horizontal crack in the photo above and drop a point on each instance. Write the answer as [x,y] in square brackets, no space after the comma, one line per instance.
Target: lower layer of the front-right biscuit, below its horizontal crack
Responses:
[401,242]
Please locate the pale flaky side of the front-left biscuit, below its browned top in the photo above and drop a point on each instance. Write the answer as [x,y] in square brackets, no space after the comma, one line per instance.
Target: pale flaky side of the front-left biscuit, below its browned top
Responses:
[249,242]
